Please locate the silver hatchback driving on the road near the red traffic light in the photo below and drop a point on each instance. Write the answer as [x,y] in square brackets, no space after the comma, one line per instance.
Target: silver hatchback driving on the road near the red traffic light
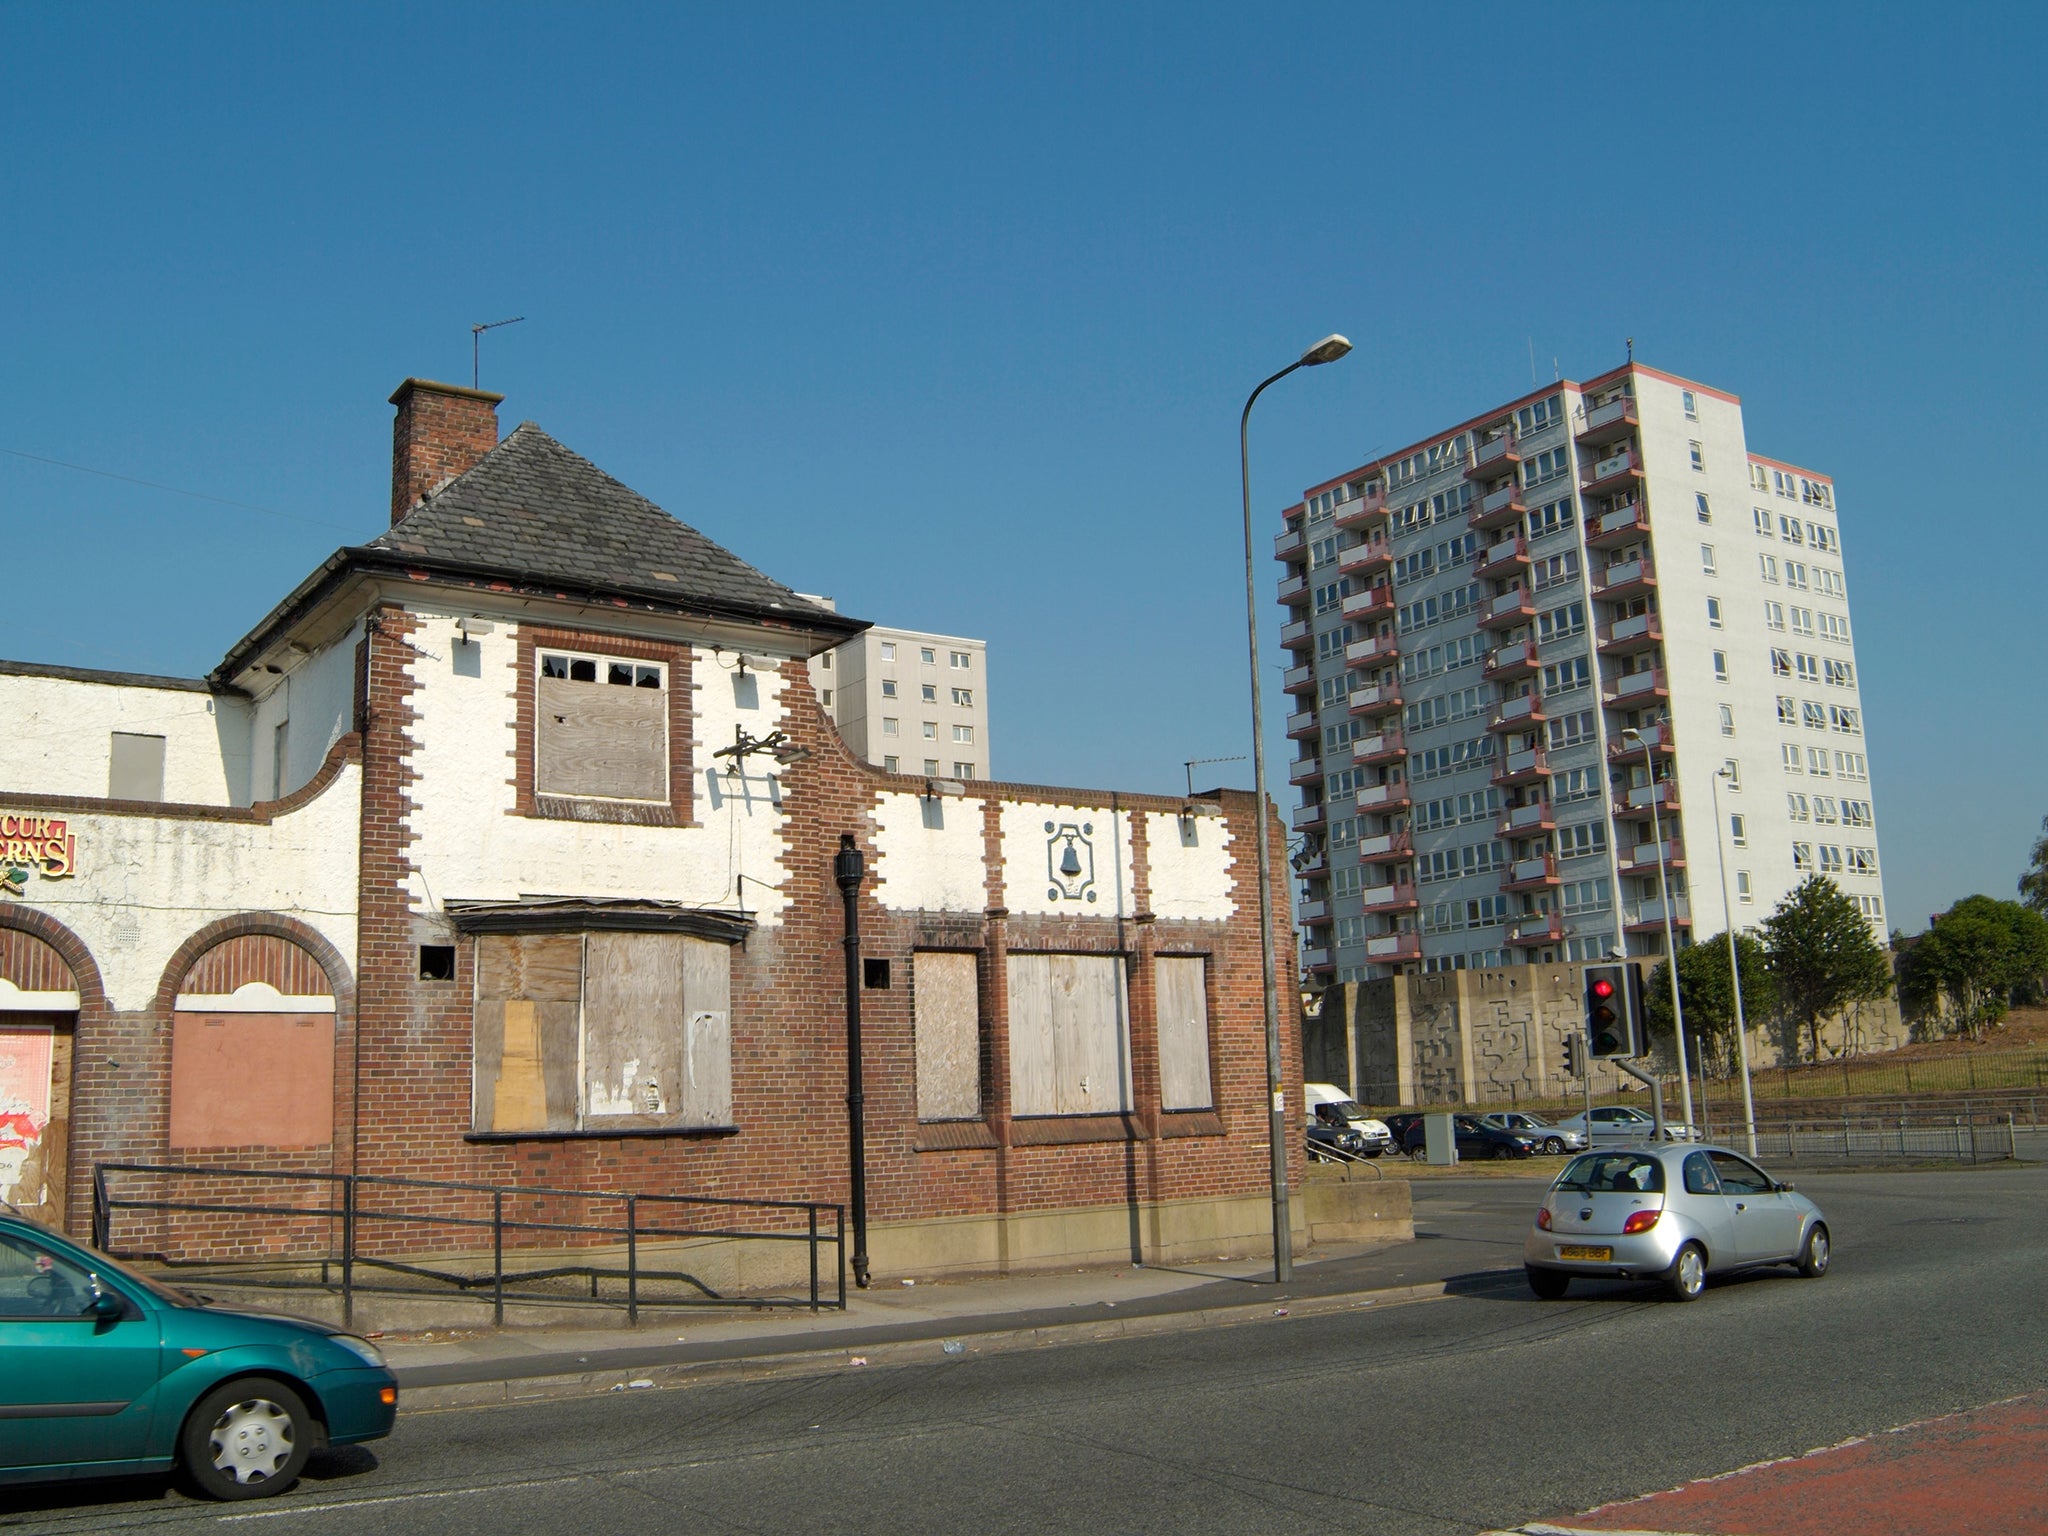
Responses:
[1670,1213]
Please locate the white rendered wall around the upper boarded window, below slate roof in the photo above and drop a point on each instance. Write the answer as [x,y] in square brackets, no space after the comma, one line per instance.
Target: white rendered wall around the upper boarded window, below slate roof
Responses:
[468,845]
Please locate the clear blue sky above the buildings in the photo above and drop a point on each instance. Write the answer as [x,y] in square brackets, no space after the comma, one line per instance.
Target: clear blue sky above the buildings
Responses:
[949,312]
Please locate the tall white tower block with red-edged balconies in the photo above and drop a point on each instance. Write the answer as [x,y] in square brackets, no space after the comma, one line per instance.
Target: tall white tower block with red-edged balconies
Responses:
[1531,648]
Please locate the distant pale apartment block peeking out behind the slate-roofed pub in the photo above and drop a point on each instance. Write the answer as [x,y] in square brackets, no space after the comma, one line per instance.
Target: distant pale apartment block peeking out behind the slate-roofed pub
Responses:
[910,703]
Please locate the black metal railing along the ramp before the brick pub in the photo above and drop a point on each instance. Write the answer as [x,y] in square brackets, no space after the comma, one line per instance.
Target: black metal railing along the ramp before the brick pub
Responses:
[429,1238]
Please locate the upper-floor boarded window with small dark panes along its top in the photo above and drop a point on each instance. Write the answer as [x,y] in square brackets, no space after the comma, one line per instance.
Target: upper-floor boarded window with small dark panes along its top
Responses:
[601,728]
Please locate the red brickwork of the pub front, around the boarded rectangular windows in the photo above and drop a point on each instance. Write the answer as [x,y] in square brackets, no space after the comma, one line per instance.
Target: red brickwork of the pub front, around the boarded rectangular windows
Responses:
[790,1023]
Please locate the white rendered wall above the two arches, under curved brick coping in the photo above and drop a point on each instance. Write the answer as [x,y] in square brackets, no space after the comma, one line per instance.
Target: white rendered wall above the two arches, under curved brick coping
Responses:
[148,884]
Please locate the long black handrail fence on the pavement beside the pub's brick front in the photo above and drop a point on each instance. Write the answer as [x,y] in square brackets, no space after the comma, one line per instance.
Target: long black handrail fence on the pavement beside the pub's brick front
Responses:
[331,1236]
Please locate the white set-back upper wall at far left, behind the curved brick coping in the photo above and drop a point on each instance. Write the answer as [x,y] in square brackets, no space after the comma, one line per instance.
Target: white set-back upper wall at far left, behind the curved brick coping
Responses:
[60,738]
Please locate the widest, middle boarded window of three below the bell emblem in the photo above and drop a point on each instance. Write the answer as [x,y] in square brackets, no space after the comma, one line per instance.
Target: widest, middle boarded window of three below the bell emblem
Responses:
[1068,1035]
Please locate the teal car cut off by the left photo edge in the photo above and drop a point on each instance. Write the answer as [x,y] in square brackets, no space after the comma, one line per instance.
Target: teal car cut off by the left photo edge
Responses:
[108,1373]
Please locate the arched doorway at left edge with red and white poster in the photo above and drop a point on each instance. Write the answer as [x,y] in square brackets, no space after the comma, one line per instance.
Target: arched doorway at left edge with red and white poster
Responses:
[38,1033]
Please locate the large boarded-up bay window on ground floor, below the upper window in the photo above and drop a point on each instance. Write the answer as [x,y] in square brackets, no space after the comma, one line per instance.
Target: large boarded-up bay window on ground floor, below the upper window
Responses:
[603,1033]
